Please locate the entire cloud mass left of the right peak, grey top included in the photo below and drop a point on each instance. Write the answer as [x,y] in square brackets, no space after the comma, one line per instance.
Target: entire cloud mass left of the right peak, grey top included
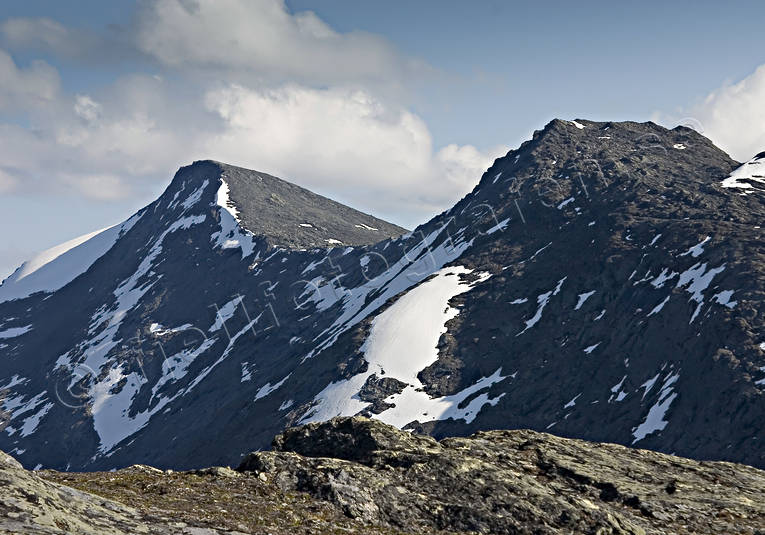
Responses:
[245,82]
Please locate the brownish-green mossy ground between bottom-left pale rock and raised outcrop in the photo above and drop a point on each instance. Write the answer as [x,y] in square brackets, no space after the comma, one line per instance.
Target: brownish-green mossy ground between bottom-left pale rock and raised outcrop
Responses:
[219,499]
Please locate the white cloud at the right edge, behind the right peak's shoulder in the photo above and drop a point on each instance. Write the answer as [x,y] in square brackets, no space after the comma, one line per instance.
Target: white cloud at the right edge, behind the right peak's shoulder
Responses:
[733,117]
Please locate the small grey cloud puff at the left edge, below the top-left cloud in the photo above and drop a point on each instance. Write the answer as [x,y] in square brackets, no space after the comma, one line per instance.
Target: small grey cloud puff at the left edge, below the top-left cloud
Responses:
[21,89]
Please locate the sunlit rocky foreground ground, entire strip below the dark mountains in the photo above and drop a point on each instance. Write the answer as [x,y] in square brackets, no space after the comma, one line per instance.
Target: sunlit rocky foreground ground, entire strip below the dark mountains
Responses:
[354,475]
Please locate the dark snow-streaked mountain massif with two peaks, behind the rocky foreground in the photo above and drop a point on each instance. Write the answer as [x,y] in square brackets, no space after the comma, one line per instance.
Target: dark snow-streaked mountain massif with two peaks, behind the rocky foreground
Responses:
[603,281]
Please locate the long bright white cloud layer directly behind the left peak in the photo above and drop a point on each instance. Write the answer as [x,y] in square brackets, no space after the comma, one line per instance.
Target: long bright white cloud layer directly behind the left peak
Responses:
[344,143]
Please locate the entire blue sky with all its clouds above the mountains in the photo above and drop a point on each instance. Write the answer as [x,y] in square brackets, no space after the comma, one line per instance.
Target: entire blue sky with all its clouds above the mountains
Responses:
[395,108]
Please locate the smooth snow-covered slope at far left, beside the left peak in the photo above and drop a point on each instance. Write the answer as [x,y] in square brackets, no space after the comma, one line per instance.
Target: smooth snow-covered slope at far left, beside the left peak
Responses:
[56,267]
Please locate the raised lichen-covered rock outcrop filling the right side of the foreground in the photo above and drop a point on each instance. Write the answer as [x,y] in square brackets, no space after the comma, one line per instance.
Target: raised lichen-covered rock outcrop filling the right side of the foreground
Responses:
[514,482]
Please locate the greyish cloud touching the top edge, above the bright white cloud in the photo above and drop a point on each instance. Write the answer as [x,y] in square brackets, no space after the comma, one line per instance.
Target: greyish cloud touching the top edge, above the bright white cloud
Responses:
[263,37]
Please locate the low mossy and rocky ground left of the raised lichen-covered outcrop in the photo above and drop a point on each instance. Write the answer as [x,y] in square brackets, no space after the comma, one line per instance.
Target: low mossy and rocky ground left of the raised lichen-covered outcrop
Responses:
[145,500]
